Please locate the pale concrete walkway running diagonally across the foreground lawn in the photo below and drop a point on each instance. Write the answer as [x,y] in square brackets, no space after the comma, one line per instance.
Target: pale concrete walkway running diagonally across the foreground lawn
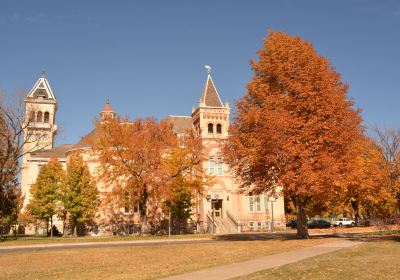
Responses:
[245,268]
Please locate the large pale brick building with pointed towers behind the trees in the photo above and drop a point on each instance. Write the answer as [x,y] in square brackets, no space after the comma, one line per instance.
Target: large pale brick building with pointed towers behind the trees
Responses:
[221,209]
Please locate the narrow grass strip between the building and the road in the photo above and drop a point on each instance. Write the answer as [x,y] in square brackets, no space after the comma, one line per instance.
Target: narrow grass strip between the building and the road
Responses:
[28,240]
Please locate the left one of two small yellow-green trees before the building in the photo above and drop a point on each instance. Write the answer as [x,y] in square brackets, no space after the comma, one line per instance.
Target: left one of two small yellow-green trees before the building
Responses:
[45,200]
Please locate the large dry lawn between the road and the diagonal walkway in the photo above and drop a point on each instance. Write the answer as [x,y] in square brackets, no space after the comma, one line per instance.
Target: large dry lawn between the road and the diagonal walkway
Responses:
[139,262]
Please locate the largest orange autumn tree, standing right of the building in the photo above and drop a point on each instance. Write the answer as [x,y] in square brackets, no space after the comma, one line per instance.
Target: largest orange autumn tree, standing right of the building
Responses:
[295,127]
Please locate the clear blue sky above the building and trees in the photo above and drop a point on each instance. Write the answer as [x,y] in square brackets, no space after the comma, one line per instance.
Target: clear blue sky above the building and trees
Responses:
[148,57]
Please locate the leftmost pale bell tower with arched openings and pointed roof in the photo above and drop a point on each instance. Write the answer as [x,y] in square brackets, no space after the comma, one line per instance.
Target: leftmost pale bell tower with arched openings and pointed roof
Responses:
[40,112]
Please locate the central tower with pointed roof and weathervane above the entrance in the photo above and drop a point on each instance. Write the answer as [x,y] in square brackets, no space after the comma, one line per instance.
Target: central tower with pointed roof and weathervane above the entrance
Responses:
[211,122]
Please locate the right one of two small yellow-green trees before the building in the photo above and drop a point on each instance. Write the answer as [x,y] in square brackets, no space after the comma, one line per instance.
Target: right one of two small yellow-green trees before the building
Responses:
[80,196]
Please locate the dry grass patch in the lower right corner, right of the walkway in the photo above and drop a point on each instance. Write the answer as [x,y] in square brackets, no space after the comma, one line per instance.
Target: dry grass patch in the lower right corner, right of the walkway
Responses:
[371,260]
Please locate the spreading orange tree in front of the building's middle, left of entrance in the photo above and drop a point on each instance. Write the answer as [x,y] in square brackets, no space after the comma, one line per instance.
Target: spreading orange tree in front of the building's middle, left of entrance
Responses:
[140,159]
